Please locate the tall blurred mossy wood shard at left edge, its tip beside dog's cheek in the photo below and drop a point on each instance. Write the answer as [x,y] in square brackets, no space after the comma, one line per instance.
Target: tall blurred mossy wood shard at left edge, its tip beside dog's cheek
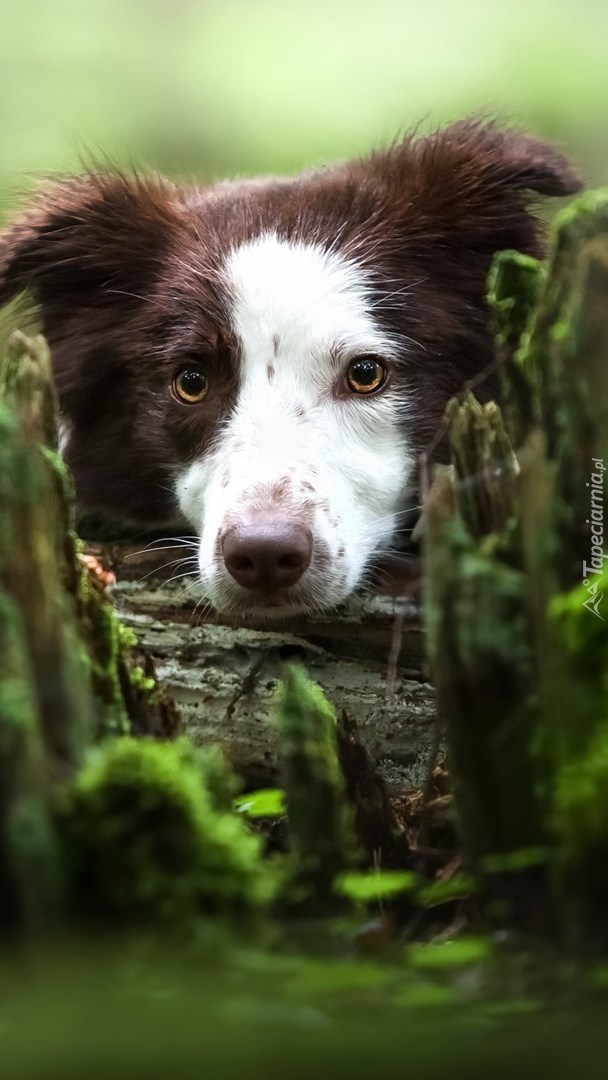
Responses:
[37,553]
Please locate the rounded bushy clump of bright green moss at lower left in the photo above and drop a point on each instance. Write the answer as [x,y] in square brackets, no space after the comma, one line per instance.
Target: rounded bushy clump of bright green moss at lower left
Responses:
[144,841]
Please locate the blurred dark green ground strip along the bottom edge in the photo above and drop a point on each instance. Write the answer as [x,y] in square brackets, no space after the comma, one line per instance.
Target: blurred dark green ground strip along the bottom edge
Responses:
[143,1012]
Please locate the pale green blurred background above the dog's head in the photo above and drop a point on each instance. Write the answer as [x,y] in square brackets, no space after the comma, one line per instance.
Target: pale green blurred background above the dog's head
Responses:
[209,88]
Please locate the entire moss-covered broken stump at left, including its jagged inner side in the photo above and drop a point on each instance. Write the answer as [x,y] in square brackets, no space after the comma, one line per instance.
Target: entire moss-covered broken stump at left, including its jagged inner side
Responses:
[65,669]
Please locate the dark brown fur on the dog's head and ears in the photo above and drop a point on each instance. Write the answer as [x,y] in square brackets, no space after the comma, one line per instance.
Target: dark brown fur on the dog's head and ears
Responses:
[127,273]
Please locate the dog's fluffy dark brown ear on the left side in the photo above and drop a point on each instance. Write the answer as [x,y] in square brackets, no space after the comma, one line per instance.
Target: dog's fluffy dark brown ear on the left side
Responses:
[87,237]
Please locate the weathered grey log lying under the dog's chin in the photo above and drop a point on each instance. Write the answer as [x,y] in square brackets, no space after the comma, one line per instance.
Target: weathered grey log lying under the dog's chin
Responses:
[224,679]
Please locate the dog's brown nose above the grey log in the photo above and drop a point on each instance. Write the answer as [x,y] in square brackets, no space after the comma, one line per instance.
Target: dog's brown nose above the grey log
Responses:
[267,553]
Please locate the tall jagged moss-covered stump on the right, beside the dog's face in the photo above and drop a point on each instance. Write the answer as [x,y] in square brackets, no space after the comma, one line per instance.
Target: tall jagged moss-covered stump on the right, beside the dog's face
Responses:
[519,638]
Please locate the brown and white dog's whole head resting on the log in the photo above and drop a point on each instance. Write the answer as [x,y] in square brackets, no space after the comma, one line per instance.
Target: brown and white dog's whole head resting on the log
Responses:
[269,357]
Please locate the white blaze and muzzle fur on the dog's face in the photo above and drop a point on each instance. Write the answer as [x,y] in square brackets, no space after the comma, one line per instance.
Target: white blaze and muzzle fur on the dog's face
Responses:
[296,440]
